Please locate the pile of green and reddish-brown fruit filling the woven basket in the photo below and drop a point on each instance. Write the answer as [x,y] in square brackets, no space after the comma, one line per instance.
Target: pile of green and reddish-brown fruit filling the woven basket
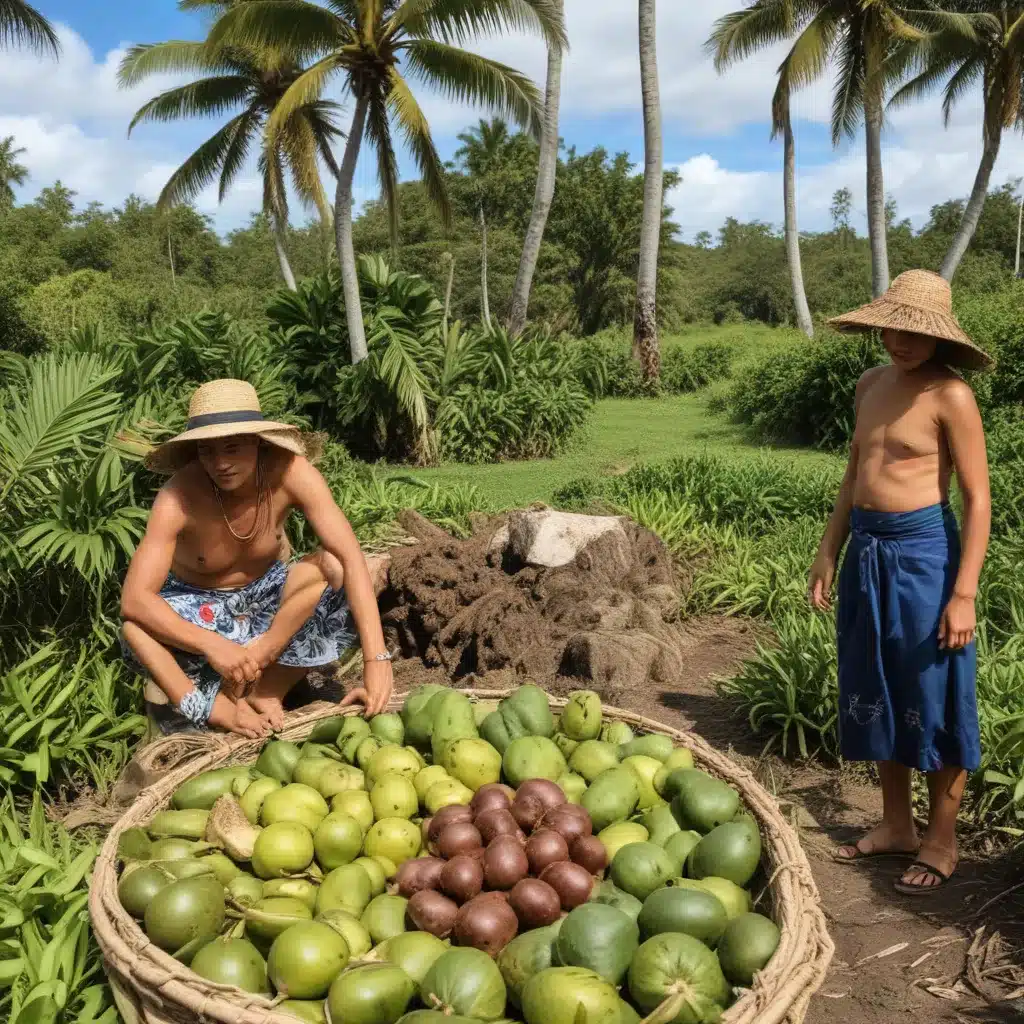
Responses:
[460,863]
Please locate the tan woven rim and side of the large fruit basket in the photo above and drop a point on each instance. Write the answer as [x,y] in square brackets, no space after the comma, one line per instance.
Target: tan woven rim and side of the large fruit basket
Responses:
[154,989]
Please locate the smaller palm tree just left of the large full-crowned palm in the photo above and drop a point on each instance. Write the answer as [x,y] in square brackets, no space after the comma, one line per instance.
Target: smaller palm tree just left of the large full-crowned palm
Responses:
[233,77]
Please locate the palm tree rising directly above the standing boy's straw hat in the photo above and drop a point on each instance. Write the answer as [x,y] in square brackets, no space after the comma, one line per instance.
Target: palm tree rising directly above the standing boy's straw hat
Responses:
[858,38]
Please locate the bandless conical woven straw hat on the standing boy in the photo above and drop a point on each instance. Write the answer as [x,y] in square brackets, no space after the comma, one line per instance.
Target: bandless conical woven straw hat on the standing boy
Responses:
[920,302]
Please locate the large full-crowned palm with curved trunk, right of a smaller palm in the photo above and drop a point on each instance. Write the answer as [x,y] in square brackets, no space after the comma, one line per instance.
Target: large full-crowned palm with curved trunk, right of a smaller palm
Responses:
[377,46]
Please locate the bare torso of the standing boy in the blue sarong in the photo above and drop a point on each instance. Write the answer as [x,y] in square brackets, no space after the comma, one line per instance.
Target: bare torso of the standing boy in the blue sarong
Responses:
[904,461]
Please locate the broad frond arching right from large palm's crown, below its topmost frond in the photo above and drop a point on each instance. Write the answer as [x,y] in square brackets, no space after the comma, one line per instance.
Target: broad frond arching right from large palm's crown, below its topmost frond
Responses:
[468,78]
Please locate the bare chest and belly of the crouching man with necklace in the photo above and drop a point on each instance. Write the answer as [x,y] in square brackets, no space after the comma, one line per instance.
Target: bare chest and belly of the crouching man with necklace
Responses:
[207,556]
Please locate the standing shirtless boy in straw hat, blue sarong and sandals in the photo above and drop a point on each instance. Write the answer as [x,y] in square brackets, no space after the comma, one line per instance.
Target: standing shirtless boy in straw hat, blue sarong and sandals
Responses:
[907,592]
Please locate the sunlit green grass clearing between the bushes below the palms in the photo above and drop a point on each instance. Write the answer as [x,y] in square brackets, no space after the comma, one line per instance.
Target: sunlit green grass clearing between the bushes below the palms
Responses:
[624,433]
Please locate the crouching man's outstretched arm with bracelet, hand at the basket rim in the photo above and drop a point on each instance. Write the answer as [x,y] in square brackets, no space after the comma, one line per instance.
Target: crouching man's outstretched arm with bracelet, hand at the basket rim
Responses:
[312,495]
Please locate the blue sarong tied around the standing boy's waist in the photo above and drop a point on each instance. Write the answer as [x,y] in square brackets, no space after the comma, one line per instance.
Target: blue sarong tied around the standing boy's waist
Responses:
[903,698]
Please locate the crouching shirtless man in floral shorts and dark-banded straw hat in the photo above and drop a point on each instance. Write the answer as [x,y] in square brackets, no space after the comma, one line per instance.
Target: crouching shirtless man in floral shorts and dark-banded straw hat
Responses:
[216,613]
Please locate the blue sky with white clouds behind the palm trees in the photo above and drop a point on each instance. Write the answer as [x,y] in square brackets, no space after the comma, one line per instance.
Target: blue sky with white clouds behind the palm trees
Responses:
[72,119]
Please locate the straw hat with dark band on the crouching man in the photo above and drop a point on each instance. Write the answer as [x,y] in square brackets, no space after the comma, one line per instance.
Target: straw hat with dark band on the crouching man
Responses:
[227,409]
